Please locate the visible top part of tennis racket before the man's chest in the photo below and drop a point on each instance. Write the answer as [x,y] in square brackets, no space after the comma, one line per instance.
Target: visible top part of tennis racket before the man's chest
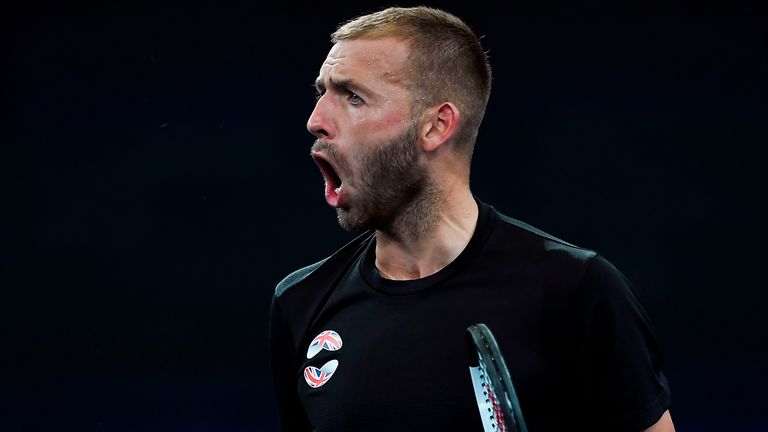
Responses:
[496,398]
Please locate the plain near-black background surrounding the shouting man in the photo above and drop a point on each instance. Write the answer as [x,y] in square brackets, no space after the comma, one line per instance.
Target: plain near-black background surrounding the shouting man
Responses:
[156,185]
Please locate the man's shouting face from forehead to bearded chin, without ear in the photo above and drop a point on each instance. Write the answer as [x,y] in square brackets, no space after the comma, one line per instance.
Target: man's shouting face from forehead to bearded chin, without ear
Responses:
[367,141]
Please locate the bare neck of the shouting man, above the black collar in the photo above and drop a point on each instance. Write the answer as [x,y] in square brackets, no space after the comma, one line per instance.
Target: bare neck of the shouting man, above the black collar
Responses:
[408,253]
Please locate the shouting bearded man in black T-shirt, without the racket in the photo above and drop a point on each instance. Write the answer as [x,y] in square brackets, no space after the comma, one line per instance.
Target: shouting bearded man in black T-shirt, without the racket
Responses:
[372,338]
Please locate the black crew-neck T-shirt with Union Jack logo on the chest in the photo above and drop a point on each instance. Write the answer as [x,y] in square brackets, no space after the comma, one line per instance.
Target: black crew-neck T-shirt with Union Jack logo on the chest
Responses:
[356,352]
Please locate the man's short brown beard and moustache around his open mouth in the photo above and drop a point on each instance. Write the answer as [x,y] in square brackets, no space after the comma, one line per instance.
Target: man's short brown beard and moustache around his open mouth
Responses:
[390,190]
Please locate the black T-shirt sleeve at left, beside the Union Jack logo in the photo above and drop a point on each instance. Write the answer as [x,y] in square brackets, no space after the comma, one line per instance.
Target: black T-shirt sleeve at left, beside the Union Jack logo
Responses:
[282,359]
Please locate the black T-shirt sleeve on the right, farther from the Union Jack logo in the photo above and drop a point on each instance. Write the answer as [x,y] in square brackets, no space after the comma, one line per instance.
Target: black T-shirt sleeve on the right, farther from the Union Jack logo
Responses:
[625,388]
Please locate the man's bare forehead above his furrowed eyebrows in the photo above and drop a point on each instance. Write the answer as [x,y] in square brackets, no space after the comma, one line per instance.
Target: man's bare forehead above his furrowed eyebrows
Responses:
[369,61]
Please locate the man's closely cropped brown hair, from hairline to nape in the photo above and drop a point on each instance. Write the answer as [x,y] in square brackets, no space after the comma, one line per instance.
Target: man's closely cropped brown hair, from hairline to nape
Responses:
[448,62]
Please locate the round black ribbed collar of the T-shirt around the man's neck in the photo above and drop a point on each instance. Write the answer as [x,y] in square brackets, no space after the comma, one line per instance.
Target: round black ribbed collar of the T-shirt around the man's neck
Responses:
[369,272]
